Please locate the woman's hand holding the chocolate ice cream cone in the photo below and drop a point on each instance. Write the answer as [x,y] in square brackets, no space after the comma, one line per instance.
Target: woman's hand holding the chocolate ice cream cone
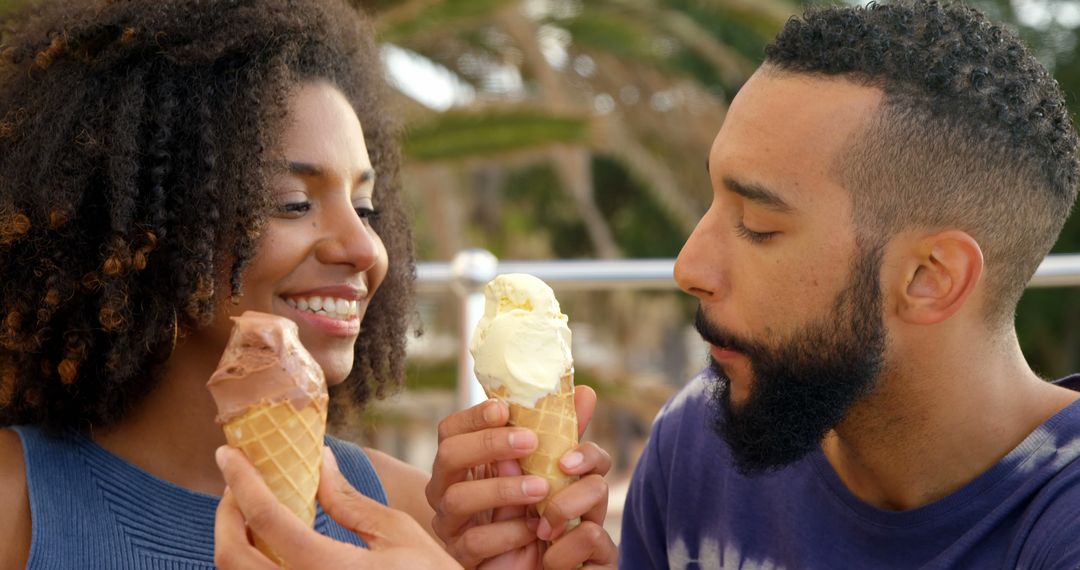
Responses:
[396,540]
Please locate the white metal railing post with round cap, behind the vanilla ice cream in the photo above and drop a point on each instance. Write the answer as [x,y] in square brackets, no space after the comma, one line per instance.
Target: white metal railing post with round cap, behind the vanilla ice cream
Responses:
[470,270]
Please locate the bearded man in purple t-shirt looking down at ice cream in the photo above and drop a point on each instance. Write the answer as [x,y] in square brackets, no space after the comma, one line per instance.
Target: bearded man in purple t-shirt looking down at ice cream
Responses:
[885,186]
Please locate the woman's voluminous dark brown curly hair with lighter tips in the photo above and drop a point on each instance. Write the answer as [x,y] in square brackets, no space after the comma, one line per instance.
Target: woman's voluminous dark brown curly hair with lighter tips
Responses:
[138,139]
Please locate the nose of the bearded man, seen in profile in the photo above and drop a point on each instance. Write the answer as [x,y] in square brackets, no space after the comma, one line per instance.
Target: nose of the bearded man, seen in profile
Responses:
[699,269]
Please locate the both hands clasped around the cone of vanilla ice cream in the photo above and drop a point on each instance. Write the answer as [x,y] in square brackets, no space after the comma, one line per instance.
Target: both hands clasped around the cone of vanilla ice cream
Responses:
[481,497]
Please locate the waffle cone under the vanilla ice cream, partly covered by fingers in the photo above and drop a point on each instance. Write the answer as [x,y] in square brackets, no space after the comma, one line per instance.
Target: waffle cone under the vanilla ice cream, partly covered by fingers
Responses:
[555,419]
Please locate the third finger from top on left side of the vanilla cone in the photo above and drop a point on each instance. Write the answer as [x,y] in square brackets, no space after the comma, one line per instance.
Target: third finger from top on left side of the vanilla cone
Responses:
[467,499]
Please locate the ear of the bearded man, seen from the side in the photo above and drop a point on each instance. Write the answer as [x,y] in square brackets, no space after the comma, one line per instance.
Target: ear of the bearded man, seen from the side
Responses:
[940,273]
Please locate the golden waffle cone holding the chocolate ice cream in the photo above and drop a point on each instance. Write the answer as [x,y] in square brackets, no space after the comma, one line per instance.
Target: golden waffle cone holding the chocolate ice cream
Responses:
[286,446]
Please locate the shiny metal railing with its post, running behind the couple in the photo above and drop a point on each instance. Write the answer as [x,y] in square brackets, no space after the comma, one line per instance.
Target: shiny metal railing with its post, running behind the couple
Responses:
[471,269]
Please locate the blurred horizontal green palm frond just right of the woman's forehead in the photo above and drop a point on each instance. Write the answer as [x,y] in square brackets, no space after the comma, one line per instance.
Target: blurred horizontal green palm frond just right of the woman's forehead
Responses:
[457,135]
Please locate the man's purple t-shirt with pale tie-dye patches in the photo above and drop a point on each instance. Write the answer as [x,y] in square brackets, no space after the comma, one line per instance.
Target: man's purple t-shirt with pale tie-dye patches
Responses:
[688,509]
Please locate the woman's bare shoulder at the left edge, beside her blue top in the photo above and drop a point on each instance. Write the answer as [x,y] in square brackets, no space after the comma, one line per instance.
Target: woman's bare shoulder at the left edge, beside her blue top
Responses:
[15,523]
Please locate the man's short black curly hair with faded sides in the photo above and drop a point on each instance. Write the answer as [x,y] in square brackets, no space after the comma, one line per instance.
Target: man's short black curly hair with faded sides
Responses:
[974,132]
